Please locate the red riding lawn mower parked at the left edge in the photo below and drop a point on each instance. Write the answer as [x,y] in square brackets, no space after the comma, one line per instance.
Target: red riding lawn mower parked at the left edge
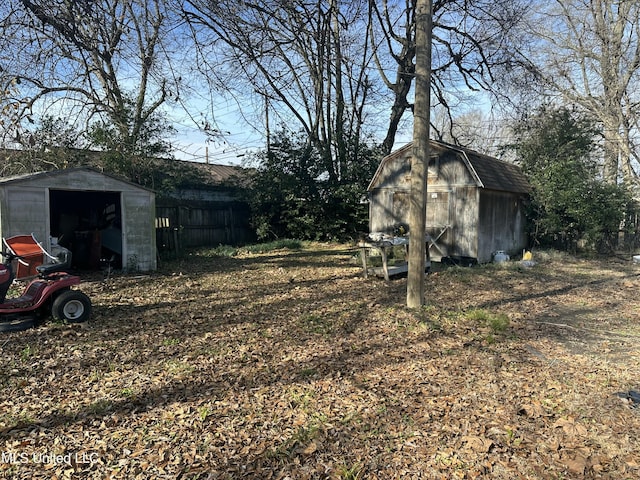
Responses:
[48,294]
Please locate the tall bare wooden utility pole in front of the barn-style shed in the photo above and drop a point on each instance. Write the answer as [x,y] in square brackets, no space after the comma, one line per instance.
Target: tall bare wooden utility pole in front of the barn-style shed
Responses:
[420,157]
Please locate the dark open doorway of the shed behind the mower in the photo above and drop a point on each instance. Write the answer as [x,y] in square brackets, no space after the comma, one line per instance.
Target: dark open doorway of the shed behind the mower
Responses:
[89,224]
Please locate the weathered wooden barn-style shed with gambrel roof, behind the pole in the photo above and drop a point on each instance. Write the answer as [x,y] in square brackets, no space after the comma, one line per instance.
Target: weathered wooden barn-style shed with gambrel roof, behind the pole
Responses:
[474,202]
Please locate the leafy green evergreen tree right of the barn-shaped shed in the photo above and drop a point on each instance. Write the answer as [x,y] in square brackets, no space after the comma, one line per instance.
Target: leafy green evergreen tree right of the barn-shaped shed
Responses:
[570,200]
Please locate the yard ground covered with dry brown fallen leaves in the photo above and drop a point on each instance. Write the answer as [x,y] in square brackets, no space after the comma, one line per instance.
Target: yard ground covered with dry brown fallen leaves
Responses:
[291,365]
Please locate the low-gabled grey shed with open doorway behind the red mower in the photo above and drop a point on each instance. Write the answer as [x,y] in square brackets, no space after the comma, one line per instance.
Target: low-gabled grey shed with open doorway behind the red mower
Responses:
[95,215]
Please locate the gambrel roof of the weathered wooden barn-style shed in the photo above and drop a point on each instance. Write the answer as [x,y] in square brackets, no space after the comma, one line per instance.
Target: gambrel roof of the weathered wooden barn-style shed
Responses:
[488,172]
